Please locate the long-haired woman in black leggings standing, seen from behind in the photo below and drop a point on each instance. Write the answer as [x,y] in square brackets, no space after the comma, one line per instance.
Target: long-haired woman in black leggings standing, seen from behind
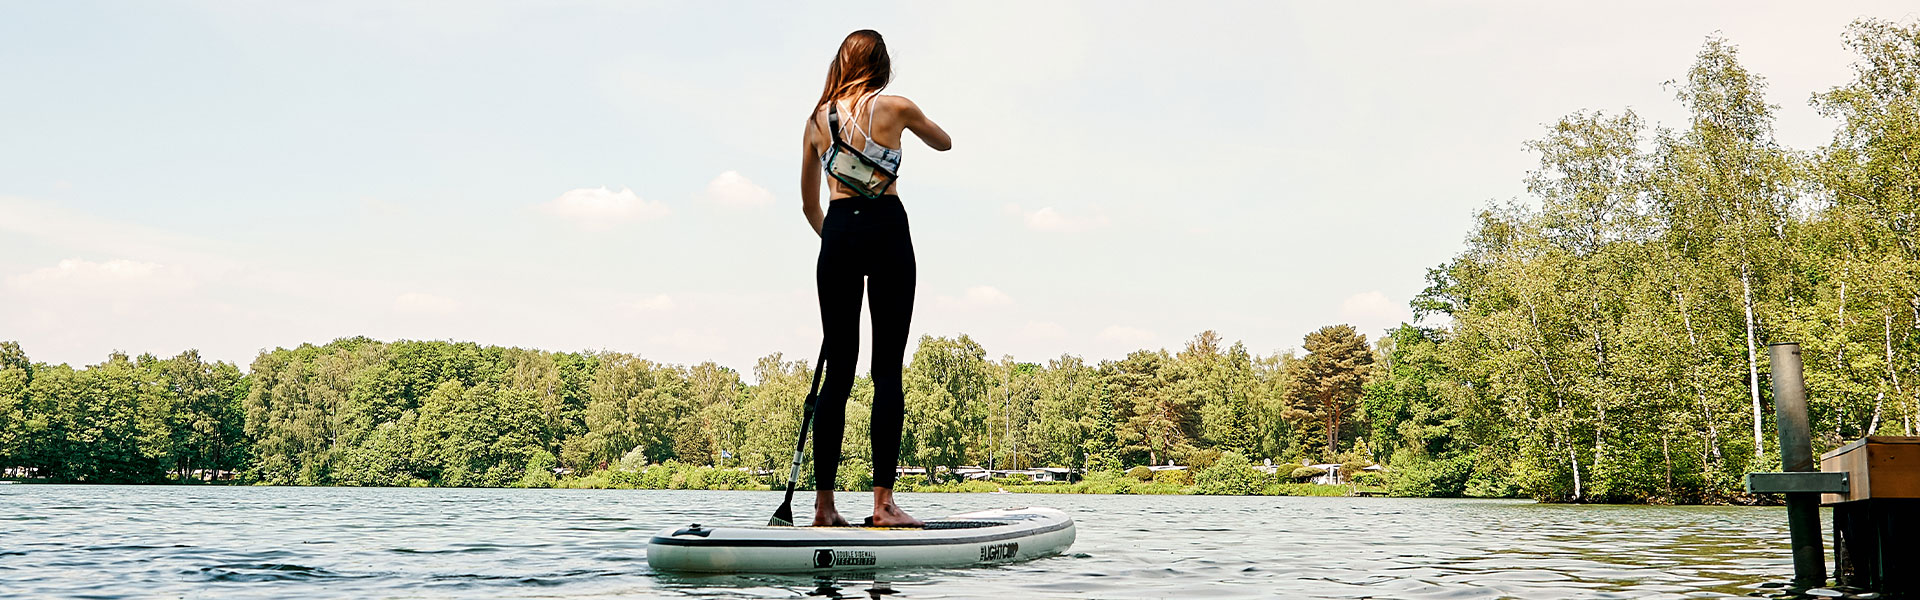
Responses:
[853,137]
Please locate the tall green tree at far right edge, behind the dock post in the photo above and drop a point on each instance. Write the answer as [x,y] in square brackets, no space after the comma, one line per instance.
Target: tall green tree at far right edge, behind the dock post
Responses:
[1869,174]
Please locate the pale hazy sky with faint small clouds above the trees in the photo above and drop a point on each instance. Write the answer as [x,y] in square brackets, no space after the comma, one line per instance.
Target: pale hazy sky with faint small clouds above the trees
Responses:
[623,176]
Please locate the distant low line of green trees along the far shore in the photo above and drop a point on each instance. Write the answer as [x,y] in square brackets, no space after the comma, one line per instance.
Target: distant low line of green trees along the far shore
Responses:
[433,412]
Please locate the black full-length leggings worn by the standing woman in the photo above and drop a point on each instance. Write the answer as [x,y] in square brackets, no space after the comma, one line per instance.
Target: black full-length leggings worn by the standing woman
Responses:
[863,245]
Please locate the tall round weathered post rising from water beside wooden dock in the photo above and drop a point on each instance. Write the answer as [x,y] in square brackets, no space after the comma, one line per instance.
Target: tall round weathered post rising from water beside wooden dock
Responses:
[1796,455]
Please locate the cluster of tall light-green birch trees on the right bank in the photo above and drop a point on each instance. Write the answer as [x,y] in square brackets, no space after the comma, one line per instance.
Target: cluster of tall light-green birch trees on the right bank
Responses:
[1606,339]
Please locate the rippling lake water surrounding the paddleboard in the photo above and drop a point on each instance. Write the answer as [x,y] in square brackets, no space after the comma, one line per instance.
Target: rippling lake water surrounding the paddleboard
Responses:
[454,543]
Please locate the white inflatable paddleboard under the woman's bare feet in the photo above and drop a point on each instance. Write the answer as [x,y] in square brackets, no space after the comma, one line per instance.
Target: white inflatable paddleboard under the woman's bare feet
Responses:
[969,539]
